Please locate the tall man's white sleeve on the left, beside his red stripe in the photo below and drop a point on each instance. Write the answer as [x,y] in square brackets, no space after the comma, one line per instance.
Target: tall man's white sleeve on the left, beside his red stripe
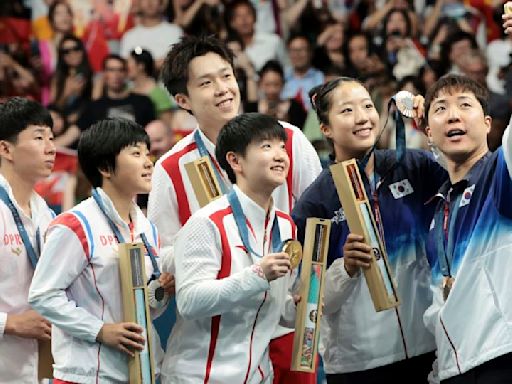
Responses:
[163,212]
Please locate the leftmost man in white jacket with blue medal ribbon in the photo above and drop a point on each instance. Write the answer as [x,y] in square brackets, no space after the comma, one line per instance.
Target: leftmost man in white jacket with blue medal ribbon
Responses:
[27,154]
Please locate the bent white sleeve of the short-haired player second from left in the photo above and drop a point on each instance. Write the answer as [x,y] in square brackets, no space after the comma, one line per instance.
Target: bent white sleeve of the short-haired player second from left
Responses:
[61,262]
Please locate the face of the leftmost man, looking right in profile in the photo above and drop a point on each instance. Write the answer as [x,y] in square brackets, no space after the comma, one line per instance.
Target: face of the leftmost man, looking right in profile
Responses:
[33,154]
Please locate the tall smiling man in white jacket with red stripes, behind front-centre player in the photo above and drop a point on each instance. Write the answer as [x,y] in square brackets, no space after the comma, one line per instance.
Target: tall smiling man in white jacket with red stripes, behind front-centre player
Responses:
[198,72]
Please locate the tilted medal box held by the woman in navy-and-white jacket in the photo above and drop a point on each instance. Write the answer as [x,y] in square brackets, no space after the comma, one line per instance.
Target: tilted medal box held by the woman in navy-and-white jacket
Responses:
[360,220]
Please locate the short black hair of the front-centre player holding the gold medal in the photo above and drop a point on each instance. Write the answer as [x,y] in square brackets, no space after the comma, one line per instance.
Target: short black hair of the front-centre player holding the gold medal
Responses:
[243,130]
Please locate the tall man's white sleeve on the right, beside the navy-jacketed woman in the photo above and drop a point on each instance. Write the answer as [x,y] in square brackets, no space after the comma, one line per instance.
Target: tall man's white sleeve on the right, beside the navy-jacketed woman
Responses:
[306,164]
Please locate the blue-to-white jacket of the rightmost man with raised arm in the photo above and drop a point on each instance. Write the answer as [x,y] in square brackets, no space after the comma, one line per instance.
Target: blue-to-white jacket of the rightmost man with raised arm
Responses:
[473,325]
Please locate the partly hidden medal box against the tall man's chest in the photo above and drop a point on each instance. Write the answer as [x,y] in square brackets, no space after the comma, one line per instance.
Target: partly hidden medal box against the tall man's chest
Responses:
[204,182]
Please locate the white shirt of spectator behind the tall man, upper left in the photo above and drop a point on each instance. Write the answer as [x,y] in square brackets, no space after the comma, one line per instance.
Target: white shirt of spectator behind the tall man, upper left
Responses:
[157,39]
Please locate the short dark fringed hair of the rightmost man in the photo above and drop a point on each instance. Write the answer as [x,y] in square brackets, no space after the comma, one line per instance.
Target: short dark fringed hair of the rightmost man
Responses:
[453,83]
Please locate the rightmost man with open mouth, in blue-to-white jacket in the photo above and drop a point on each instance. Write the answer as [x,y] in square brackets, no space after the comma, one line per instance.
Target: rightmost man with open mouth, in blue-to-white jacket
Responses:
[470,239]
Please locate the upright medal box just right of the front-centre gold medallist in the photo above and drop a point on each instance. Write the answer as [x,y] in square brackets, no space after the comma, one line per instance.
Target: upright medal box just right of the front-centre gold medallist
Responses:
[309,309]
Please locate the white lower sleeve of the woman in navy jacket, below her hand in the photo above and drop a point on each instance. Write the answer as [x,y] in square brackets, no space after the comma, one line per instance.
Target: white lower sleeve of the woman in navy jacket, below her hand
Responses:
[338,286]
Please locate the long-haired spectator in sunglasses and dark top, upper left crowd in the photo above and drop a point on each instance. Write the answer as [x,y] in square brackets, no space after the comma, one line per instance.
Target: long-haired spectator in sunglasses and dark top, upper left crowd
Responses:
[71,86]
